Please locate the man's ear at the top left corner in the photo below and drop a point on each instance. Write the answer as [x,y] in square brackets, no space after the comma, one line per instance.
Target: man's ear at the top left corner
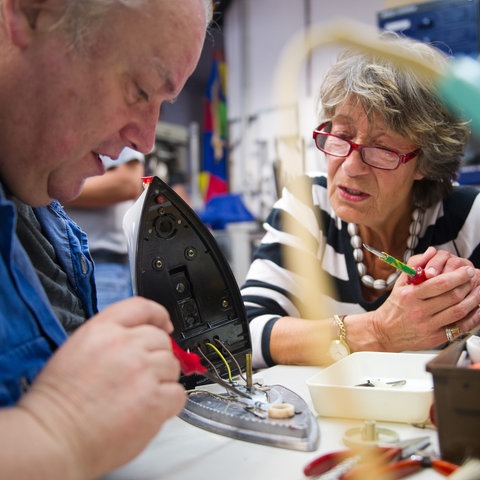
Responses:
[19,17]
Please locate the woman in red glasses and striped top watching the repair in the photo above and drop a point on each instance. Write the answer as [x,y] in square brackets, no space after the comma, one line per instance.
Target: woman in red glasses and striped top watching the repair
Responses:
[392,152]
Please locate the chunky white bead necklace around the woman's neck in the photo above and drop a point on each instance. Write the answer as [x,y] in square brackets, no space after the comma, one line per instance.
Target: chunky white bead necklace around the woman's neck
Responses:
[356,243]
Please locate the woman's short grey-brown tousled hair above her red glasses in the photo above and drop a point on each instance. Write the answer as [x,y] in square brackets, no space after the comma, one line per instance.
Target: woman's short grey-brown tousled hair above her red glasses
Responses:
[409,105]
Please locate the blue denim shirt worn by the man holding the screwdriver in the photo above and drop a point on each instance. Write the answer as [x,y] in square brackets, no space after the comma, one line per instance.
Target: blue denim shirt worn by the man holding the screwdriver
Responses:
[29,330]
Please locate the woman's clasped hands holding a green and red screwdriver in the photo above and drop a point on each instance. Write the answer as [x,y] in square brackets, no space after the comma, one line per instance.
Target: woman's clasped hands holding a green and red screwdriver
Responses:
[415,317]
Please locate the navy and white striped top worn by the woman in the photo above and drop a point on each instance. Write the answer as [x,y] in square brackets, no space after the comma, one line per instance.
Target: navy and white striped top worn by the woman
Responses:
[273,290]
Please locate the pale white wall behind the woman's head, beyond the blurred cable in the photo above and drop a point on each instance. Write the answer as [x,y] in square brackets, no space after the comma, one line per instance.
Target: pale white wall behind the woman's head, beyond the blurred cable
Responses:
[263,129]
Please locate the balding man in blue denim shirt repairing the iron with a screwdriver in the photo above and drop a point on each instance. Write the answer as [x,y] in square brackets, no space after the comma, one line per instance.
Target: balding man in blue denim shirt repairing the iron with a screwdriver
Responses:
[80,79]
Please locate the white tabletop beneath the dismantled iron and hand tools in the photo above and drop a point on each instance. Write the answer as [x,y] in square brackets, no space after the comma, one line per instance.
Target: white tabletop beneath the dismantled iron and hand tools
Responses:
[181,451]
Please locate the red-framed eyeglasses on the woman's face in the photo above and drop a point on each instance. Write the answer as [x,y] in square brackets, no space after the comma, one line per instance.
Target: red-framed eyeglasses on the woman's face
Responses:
[377,157]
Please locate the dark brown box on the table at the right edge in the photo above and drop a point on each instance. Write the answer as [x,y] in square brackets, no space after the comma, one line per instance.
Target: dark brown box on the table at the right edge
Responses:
[457,403]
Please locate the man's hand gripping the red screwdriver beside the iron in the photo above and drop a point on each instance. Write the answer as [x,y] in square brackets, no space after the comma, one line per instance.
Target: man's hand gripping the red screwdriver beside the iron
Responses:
[110,387]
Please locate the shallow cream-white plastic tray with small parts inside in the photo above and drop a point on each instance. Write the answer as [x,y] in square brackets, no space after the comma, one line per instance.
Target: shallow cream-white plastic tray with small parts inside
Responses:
[403,390]
